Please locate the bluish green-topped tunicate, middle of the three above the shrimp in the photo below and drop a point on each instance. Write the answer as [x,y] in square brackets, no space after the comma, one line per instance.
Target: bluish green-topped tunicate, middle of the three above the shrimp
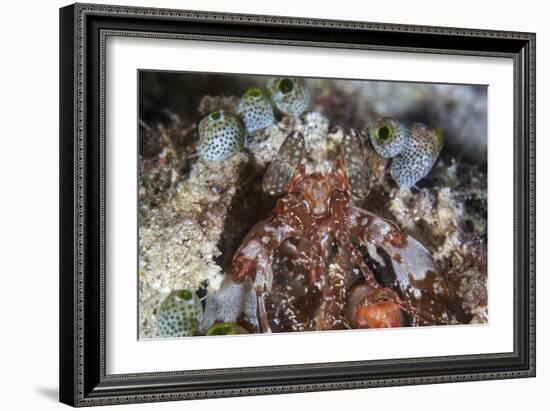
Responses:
[255,110]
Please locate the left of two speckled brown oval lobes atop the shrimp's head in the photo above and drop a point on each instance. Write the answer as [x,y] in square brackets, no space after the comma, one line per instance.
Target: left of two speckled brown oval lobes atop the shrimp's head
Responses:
[282,168]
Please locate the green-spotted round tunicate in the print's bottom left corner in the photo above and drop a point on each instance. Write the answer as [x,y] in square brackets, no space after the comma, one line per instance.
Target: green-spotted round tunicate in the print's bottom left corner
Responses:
[180,314]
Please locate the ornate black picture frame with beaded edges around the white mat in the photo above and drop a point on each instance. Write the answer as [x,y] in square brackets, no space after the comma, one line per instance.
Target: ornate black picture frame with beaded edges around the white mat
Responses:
[83,30]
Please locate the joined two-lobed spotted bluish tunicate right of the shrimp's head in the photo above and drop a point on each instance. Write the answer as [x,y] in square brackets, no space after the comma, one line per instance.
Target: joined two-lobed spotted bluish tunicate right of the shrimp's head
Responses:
[413,147]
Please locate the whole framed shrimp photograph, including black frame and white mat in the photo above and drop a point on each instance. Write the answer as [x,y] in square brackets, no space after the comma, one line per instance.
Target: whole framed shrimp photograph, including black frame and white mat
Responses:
[259,204]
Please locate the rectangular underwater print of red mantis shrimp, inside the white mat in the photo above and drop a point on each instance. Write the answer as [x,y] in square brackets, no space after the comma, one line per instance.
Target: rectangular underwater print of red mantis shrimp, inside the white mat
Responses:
[272,204]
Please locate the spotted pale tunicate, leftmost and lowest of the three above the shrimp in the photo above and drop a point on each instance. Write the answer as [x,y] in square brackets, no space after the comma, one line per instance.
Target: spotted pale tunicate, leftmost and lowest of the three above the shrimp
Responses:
[221,134]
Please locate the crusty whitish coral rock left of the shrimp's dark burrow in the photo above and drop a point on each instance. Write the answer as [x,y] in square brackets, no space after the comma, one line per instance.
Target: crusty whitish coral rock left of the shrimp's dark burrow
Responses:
[178,245]
